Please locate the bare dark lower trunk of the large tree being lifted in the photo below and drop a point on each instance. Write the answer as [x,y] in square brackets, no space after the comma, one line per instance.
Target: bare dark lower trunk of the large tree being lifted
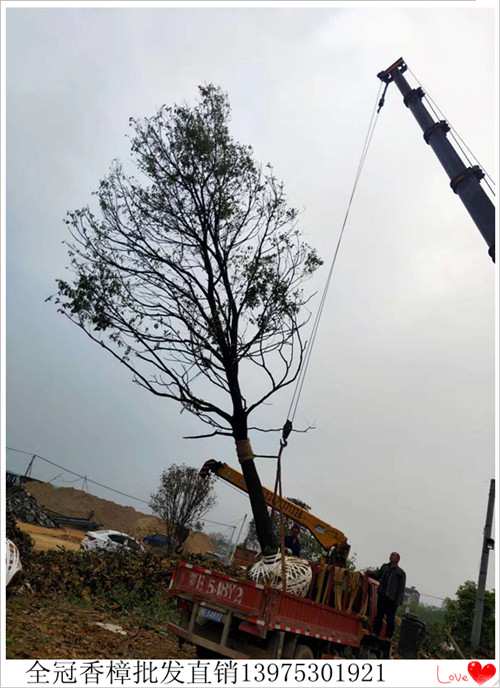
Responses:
[263,523]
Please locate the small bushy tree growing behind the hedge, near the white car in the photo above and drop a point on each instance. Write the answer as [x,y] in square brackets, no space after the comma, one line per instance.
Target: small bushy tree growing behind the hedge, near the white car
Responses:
[182,499]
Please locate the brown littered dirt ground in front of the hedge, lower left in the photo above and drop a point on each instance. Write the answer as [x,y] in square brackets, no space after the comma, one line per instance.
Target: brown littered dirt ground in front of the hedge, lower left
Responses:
[54,628]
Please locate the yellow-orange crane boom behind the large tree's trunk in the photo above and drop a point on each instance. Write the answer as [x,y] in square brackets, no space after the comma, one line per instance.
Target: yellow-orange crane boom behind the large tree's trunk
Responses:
[324,533]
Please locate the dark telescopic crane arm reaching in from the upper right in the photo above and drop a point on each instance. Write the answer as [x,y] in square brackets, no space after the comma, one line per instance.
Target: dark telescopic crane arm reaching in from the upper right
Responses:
[465,181]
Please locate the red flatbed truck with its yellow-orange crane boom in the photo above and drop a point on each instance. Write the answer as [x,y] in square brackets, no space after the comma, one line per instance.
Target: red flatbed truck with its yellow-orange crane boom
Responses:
[225,616]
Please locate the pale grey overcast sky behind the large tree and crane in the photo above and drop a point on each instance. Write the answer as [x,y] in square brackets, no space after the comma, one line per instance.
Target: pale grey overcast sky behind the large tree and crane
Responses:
[401,384]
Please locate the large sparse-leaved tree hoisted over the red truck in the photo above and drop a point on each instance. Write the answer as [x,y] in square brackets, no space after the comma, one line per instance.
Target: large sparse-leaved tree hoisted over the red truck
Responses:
[193,272]
